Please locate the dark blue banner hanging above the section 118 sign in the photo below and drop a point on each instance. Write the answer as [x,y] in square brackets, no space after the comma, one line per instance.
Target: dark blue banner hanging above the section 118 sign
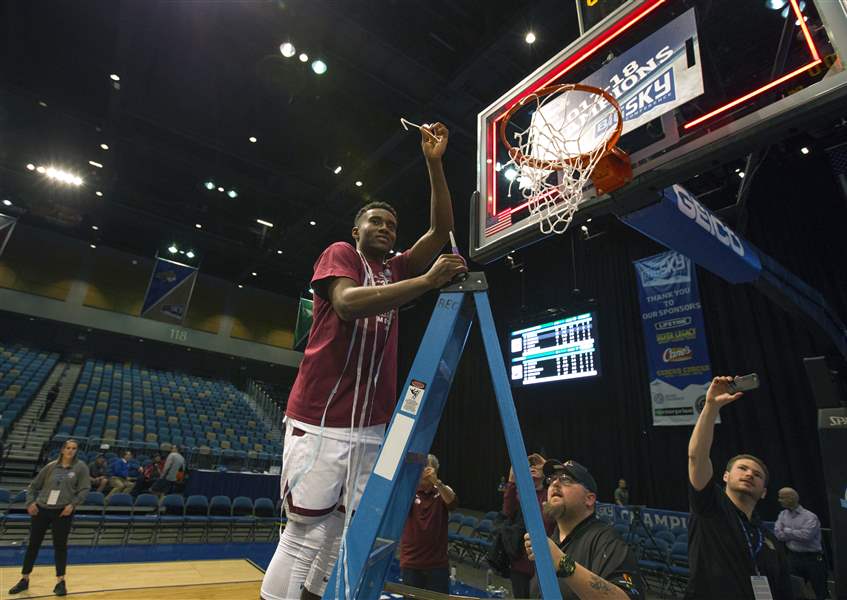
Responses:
[169,291]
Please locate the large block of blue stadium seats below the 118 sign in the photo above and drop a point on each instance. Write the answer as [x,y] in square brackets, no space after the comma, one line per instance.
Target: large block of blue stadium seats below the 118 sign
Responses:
[128,406]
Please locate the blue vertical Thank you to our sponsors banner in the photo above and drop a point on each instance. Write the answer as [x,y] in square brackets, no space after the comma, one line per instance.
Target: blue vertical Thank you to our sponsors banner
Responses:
[674,337]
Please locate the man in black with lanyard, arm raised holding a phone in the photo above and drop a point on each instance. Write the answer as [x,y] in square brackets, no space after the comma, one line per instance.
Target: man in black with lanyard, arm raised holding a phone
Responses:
[729,552]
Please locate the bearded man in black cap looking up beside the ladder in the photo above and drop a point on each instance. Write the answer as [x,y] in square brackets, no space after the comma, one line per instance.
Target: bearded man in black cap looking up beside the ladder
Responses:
[590,558]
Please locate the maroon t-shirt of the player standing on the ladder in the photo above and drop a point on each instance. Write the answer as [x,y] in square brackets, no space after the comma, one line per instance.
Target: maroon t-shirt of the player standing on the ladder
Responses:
[329,342]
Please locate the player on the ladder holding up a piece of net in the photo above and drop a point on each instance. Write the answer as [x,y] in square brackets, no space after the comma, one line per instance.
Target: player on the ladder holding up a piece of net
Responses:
[346,386]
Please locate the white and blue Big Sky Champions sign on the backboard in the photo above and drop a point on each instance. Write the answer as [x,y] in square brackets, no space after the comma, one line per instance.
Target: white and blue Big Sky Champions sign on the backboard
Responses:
[650,79]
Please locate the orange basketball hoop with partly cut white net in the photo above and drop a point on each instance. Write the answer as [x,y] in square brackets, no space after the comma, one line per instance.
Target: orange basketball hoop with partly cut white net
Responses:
[570,139]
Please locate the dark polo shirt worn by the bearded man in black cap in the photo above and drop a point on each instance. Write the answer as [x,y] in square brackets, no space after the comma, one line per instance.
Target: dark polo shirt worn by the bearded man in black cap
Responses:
[596,546]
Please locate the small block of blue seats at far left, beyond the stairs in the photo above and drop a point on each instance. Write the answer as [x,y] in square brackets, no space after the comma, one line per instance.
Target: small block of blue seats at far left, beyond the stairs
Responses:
[23,371]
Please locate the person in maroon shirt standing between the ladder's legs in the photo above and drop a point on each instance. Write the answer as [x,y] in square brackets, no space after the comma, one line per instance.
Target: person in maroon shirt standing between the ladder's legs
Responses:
[423,546]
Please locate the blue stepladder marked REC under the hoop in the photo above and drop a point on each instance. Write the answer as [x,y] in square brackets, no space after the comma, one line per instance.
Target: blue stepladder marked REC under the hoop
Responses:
[371,540]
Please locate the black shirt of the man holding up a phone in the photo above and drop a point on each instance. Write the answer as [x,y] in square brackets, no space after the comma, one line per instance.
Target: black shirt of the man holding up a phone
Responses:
[718,552]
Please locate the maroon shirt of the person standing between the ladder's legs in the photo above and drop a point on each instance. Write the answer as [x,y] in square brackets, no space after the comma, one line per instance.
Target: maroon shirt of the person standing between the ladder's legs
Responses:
[424,541]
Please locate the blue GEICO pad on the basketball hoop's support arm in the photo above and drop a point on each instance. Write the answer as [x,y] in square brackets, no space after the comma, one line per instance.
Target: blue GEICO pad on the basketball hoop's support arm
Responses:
[680,222]
